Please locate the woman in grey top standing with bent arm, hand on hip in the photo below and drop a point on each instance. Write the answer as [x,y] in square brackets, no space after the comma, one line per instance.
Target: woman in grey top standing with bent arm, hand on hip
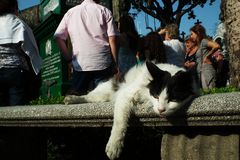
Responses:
[206,47]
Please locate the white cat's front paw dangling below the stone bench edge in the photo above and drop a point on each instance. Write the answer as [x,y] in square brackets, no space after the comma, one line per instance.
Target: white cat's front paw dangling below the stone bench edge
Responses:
[114,147]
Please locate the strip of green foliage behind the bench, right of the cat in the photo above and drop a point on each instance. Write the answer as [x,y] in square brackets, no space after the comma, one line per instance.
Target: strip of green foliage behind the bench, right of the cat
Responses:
[220,90]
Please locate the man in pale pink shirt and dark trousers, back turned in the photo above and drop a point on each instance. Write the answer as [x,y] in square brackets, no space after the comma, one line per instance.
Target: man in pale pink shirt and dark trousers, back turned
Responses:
[93,36]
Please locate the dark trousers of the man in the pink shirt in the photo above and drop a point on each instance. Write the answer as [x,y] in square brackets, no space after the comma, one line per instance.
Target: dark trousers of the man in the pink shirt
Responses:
[85,81]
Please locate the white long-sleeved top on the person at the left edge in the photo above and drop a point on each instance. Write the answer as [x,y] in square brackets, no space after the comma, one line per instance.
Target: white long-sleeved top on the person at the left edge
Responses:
[13,30]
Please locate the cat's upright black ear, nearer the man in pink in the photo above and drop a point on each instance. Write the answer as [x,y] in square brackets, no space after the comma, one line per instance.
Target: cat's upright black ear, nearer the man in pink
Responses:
[156,72]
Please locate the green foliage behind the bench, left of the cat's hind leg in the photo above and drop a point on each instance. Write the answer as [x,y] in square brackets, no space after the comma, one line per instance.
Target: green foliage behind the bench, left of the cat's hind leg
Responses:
[48,100]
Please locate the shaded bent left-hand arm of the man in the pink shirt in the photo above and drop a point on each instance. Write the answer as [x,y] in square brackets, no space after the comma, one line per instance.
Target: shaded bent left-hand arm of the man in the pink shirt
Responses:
[63,48]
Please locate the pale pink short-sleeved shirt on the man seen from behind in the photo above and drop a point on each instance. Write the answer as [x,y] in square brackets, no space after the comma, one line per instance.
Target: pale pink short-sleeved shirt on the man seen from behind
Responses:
[88,25]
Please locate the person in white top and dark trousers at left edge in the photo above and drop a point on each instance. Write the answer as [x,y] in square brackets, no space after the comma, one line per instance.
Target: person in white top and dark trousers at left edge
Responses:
[18,55]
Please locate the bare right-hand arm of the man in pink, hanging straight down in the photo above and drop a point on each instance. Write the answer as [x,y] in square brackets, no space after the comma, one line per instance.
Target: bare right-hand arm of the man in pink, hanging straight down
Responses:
[113,41]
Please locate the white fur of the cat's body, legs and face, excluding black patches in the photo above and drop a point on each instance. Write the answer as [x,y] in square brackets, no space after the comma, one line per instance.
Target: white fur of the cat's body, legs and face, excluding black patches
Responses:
[132,92]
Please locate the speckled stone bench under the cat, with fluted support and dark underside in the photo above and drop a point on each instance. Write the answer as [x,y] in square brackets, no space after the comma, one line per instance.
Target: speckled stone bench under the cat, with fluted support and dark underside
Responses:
[208,129]
